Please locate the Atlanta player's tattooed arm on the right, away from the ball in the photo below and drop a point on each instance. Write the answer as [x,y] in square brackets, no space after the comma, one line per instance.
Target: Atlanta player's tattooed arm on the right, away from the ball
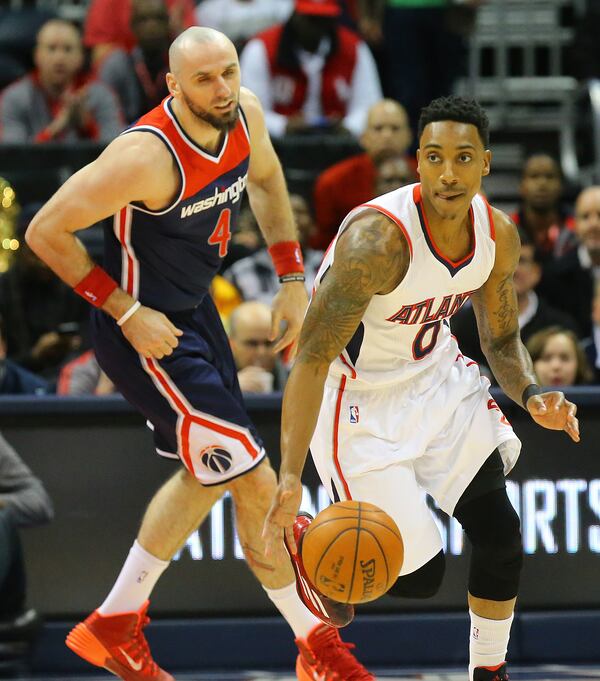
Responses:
[497,312]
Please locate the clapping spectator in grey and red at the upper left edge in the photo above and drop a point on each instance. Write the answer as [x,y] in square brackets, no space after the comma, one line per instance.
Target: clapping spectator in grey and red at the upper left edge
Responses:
[57,101]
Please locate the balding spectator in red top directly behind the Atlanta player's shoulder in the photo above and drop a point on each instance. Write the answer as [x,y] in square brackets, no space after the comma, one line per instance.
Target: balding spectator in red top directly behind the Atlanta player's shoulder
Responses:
[387,132]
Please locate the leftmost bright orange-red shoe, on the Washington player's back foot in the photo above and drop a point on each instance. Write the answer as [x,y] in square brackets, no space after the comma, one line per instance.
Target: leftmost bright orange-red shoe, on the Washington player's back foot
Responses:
[116,642]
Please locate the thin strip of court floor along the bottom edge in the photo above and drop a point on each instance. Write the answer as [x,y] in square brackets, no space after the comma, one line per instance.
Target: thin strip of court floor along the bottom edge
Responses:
[544,673]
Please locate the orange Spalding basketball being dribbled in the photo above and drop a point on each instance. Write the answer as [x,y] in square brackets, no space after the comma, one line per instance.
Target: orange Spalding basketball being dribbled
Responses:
[352,552]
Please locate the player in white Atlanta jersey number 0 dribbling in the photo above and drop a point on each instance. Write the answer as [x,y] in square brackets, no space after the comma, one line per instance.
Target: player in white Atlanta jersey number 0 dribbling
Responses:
[385,399]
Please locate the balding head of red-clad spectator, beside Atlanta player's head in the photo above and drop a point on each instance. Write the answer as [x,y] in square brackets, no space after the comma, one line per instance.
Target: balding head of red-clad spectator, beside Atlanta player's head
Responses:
[388,130]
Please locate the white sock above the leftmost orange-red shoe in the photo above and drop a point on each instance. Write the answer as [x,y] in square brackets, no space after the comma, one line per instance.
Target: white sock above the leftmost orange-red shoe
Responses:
[135,582]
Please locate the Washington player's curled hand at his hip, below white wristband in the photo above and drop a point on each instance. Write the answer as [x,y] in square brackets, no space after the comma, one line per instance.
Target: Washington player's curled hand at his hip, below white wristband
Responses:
[151,333]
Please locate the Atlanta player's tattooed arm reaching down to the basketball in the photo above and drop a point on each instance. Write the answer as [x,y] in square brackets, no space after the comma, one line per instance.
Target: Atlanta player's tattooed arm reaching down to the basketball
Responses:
[371,258]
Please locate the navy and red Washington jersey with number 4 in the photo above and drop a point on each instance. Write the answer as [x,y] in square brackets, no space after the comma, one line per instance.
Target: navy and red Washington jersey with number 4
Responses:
[167,259]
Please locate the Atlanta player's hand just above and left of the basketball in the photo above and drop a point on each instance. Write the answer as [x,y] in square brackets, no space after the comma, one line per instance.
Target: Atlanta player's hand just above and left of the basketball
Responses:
[282,514]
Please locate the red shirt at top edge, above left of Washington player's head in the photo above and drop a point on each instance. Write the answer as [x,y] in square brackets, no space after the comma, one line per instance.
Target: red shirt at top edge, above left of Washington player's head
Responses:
[108,21]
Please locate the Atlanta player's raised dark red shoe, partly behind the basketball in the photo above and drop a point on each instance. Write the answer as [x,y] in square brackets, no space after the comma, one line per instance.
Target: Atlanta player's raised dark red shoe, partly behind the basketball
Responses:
[330,612]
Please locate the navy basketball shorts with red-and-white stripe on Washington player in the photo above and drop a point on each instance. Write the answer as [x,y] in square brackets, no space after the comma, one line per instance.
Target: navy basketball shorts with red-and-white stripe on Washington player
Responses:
[191,399]
